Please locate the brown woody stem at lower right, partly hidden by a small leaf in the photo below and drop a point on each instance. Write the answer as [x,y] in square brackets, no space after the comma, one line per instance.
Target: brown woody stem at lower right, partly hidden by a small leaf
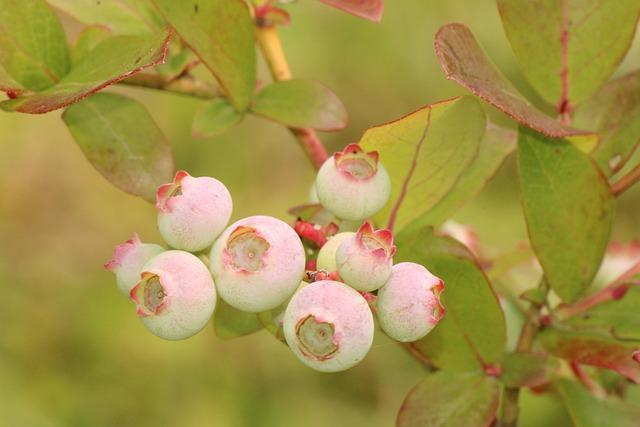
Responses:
[529,331]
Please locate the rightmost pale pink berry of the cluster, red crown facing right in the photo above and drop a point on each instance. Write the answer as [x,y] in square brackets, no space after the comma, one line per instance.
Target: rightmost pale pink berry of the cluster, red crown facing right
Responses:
[409,303]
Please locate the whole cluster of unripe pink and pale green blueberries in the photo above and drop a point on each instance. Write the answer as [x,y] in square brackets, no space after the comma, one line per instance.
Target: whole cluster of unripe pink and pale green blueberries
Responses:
[259,264]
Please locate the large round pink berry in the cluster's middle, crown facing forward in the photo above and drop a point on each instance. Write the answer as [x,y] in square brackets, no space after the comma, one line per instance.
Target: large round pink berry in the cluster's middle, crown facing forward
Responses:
[257,263]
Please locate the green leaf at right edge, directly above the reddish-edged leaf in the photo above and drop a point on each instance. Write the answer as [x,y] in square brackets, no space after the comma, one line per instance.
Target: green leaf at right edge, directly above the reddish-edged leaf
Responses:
[618,317]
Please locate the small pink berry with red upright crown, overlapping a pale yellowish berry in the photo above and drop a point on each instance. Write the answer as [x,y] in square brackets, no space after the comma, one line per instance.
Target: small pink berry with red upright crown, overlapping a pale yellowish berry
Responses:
[364,260]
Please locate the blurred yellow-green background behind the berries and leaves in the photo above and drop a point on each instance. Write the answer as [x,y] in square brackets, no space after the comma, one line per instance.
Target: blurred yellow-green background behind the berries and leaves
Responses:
[72,351]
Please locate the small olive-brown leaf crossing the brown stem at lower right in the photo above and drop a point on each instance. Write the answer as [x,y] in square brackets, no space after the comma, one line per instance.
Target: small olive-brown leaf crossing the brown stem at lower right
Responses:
[528,369]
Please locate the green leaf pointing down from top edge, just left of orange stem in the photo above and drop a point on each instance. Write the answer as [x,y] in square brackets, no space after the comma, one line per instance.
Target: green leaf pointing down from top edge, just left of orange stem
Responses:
[221,33]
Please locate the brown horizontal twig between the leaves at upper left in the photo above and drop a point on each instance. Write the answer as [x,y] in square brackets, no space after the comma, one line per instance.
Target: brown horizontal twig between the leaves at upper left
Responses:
[185,85]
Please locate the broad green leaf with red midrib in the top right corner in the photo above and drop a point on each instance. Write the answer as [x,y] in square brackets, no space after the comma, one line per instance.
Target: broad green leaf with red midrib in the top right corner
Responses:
[569,48]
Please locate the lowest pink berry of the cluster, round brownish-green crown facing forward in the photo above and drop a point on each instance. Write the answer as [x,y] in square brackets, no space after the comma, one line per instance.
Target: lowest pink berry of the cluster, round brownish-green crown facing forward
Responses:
[328,326]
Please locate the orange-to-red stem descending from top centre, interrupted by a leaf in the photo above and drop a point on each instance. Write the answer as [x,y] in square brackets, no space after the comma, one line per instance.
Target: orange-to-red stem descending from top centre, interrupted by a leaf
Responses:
[271,47]
